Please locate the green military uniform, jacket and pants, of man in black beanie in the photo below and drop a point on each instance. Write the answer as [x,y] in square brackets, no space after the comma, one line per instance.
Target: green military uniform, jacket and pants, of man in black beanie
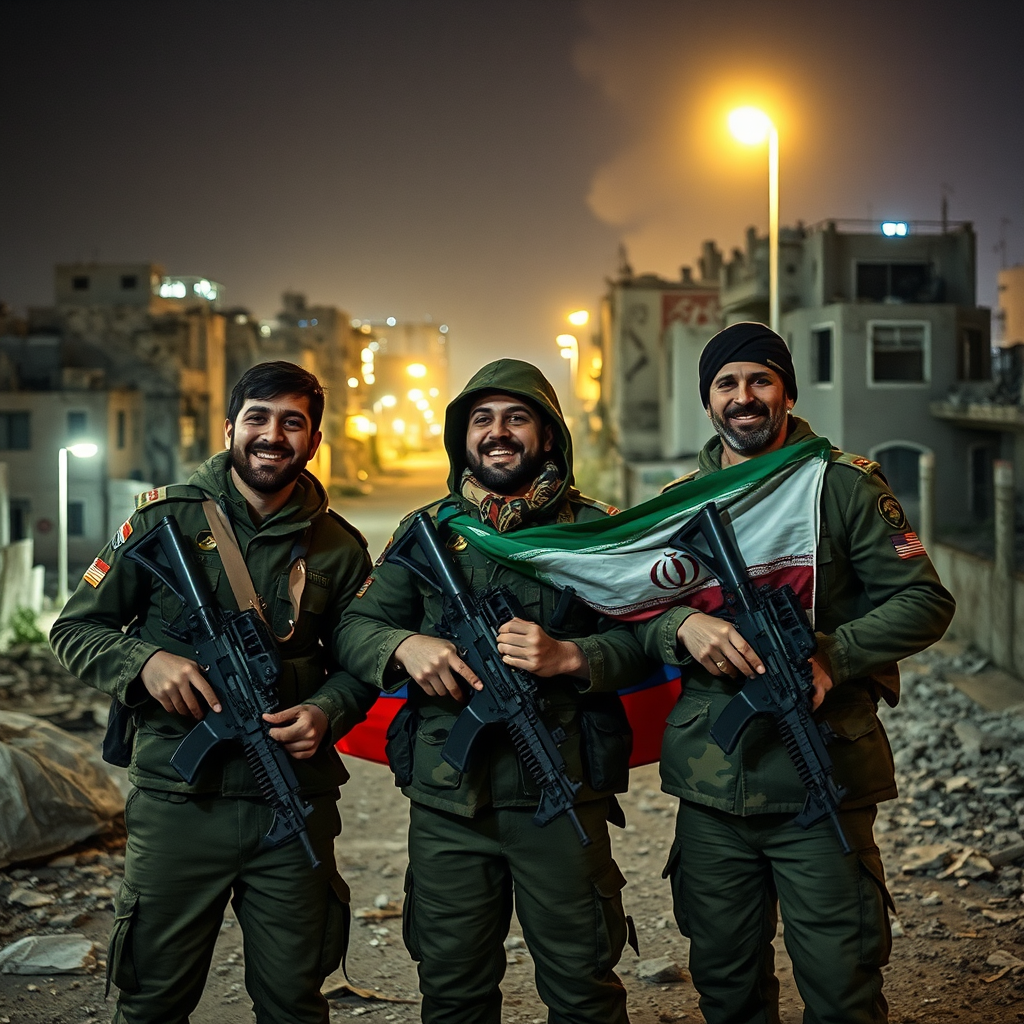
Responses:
[737,849]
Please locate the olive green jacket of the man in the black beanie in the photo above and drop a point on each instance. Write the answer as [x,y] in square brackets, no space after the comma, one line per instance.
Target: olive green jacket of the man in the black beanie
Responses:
[872,609]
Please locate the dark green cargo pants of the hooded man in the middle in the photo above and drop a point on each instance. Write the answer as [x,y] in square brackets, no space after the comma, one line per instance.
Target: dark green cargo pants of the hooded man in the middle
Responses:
[463,878]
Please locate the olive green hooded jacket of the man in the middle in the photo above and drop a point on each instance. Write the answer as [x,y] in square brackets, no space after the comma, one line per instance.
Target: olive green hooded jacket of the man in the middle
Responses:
[395,605]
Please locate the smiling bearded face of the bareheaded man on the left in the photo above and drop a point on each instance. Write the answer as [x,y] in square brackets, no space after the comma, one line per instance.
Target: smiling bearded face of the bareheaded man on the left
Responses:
[272,441]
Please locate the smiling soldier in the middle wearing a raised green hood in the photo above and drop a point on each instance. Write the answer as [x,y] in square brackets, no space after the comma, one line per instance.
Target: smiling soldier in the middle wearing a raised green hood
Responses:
[474,846]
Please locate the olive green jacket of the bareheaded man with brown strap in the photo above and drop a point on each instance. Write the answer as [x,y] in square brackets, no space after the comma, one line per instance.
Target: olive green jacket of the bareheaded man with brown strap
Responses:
[91,641]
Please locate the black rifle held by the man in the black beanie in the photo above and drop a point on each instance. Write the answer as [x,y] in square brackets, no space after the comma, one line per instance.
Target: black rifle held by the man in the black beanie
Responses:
[775,624]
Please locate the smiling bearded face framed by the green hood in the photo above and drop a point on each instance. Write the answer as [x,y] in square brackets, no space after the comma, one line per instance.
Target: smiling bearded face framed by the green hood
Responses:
[507,443]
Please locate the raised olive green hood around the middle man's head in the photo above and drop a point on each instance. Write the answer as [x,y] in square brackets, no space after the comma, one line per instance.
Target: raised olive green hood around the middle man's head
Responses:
[513,377]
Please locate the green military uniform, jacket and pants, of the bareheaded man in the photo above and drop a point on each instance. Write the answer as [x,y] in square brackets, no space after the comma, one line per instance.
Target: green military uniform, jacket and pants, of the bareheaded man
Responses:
[192,846]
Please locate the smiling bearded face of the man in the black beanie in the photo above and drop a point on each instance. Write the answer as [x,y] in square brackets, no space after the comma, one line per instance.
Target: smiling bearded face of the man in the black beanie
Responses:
[749,406]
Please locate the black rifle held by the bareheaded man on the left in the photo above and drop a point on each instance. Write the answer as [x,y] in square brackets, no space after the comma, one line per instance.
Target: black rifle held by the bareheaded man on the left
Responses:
[239,658]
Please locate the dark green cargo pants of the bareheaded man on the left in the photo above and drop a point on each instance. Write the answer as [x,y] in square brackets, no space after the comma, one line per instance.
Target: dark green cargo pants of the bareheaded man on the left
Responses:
[186,858]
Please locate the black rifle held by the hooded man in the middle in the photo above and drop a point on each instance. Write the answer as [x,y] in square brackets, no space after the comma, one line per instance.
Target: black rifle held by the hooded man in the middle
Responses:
[472,622]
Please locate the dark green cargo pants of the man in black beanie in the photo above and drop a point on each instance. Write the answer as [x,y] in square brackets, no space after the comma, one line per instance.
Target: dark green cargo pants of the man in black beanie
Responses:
[731,875]
